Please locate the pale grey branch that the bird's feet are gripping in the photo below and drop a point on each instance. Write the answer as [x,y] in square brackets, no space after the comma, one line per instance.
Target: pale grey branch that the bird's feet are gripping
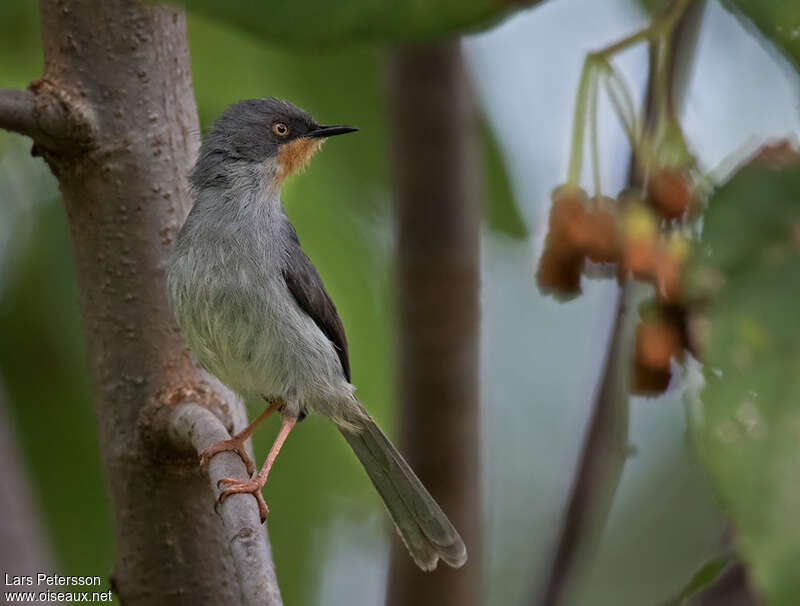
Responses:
[192,428]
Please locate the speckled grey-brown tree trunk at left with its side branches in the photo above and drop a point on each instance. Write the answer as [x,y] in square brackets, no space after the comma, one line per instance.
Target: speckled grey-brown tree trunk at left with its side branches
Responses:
[114,117]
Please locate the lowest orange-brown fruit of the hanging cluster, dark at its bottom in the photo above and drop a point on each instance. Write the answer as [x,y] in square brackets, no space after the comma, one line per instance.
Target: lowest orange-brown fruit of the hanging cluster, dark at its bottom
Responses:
[656,344]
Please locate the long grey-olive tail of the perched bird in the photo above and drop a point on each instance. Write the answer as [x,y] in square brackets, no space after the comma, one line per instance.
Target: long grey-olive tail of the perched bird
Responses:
[421,523]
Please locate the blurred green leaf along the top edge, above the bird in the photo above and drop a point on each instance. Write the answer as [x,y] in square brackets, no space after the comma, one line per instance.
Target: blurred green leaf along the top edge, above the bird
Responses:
[321,23]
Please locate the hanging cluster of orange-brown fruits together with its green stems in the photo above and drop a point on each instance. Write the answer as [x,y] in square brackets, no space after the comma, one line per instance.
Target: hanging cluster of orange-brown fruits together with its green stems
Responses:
[646,232]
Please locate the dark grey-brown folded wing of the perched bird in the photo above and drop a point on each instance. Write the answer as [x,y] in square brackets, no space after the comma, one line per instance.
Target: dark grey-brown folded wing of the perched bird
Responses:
[308,290]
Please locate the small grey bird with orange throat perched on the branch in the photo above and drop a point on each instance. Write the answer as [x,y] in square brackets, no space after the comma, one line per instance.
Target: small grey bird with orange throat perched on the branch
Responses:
[256,314]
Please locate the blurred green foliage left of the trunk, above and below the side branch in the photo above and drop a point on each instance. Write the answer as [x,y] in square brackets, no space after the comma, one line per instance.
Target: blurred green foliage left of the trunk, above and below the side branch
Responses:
[42,356]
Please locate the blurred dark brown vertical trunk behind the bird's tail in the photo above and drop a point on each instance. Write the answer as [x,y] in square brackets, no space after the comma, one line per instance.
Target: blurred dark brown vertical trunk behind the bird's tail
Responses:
[438,291]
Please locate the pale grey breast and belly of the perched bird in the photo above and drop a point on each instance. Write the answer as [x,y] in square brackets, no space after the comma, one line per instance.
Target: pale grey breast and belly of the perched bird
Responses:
[242,323]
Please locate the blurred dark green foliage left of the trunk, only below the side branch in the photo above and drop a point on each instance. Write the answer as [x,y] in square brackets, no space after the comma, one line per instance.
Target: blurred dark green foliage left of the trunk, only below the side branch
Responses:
[43,366]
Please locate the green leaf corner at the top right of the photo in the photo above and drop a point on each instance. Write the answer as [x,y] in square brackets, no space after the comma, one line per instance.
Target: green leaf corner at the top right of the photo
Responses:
[777,20]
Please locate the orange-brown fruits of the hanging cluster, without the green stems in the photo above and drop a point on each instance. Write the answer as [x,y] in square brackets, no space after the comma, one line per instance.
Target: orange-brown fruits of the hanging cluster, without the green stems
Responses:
[640,235]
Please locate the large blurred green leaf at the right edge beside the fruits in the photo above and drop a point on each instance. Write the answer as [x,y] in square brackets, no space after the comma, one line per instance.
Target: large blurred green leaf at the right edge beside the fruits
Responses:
[749,430]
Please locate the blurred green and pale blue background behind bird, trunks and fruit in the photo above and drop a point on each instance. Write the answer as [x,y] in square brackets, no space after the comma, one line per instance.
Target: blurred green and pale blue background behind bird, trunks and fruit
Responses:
[540,358]
